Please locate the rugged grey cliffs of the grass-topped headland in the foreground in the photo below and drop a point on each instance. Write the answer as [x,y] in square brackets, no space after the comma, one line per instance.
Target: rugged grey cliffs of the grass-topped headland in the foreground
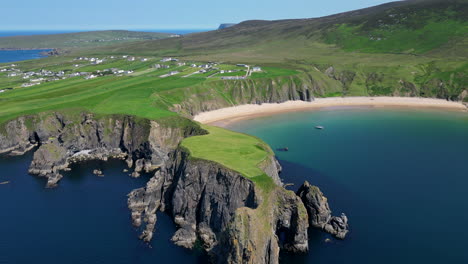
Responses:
[234,220]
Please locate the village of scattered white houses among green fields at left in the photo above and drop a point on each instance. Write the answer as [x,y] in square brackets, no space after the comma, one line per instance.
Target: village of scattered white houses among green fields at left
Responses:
[83,67]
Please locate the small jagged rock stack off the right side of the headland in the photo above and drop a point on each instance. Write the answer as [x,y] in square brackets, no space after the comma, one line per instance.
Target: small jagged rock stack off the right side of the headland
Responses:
[319,212]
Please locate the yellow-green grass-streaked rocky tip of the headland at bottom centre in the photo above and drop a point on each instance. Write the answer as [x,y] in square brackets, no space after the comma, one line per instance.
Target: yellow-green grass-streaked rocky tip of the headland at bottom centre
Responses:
[257,236]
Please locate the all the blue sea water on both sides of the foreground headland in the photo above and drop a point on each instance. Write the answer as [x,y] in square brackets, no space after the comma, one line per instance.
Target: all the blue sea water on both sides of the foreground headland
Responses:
[400,176]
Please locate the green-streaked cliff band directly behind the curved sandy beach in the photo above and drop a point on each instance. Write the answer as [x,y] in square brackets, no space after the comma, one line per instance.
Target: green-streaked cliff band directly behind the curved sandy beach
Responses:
[319,82]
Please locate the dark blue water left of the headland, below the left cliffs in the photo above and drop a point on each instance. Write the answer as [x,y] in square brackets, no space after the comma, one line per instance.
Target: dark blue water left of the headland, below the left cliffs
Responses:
[85,220]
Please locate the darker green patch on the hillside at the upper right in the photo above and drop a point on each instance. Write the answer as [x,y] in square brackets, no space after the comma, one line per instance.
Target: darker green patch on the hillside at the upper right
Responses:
[406,29]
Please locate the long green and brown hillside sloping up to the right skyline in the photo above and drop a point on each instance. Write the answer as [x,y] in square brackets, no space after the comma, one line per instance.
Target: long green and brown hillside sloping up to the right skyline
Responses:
[399,27]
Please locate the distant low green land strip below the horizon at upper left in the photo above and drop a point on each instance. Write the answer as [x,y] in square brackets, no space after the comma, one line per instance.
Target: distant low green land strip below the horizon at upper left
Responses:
[80,39]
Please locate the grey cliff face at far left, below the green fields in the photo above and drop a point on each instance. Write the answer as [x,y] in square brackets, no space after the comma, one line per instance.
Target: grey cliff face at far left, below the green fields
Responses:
[63,139]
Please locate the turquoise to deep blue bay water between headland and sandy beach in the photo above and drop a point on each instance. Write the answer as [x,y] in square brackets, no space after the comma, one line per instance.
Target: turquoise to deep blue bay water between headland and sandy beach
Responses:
[401,177]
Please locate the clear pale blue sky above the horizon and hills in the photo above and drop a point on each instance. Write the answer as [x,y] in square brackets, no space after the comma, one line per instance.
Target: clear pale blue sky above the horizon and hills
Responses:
[156,14]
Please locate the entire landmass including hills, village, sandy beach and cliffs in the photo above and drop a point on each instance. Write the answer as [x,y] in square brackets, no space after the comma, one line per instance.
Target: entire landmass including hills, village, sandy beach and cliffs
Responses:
[148,103]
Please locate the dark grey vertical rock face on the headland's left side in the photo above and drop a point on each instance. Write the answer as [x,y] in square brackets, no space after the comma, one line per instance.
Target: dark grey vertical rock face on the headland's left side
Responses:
[200,195]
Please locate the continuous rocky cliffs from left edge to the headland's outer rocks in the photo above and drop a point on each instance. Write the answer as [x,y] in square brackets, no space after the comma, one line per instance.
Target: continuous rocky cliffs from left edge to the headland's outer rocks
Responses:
[212,206]
